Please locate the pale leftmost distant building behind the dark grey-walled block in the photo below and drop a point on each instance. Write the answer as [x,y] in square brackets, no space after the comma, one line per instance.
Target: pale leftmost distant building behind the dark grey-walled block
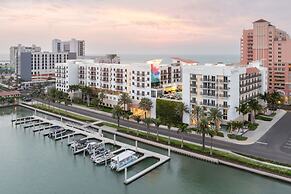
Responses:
[15,55]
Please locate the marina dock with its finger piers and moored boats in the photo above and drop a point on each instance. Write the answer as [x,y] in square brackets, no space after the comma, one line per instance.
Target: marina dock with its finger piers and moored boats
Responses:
[93,143]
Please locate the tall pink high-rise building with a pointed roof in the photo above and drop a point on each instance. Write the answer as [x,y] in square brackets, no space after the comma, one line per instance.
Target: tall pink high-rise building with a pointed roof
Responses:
[272,46]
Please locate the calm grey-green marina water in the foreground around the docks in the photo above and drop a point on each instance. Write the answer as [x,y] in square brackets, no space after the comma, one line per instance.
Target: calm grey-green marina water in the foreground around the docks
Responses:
[32,164]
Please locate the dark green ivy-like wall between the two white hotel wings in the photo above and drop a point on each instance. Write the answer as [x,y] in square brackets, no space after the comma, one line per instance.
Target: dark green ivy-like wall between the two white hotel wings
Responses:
[166,110]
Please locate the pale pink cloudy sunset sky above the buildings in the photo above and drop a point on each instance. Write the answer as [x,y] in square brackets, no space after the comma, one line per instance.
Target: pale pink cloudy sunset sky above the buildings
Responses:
[138,26]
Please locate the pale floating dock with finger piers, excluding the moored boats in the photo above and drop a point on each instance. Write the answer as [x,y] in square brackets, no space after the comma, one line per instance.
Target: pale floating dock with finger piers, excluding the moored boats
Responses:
[33,121]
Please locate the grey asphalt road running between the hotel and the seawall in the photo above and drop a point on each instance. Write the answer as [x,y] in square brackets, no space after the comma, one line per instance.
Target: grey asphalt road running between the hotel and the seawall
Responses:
[275,145]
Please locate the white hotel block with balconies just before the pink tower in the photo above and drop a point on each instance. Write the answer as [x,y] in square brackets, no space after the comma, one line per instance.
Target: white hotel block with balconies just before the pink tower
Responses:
[222,86]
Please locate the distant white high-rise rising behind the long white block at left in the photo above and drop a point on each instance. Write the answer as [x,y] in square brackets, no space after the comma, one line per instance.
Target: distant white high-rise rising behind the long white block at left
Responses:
[71,46]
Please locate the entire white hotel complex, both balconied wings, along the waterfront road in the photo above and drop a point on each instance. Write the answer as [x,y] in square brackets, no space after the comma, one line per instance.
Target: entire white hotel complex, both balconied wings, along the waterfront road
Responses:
[222,86]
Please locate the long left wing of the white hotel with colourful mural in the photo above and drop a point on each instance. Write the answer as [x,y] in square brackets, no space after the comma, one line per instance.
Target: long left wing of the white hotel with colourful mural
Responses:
[139,80]
